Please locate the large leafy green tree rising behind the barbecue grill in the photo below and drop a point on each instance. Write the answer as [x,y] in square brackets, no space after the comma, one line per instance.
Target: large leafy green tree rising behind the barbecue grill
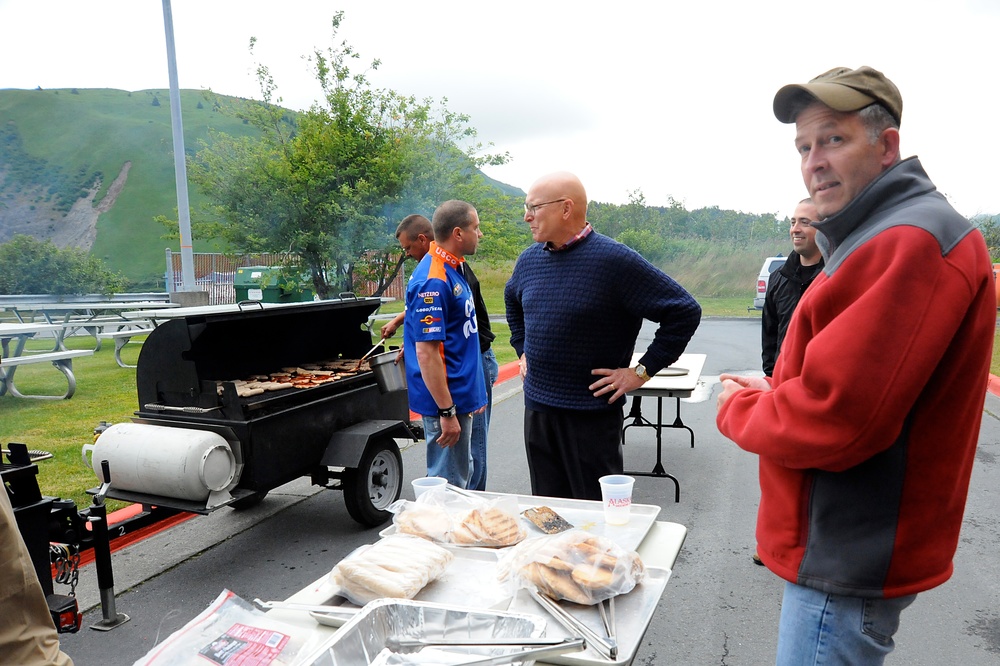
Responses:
[329,186]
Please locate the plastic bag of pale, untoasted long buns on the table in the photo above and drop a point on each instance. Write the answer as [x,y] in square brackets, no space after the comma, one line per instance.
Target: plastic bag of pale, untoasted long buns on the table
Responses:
[397,566]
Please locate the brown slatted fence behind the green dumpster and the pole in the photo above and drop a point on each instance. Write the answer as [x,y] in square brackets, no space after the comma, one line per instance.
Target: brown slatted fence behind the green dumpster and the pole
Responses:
[215,274]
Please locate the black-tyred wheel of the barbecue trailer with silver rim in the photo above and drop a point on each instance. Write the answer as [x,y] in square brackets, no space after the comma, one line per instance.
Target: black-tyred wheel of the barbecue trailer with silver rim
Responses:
[375,484]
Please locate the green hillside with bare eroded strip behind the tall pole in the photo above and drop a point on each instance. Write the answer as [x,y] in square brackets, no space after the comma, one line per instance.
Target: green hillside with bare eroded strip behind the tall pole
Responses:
[70,137]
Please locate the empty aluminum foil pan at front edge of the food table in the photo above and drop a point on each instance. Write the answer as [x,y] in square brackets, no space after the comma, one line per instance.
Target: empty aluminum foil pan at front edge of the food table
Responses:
[362,641]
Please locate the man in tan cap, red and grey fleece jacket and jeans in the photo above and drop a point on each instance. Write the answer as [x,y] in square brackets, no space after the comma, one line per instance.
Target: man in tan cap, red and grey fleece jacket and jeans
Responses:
[879,385]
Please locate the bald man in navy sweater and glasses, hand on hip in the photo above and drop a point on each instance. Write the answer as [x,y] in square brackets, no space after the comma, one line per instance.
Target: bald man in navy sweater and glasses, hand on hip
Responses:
[575,303]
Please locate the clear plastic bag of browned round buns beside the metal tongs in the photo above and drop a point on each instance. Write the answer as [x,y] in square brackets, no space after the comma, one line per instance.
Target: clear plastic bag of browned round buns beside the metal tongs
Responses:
[573,565]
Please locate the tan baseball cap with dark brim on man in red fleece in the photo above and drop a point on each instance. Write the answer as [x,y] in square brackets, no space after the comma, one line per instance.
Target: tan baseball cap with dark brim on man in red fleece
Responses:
[842,89]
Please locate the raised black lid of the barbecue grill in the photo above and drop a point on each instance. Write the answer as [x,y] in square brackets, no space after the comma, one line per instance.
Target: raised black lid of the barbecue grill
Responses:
[182,358]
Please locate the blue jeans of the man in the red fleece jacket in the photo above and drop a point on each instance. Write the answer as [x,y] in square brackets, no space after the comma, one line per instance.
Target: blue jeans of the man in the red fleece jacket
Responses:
[825,629]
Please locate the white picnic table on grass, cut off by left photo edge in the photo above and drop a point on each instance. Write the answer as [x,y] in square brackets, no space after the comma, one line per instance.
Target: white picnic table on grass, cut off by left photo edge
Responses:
[60,357]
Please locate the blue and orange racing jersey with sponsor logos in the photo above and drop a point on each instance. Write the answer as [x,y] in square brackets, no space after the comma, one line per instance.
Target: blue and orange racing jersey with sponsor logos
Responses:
[440,308]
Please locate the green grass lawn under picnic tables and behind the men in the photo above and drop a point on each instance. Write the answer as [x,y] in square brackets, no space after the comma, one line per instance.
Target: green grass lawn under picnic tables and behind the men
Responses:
[106,392]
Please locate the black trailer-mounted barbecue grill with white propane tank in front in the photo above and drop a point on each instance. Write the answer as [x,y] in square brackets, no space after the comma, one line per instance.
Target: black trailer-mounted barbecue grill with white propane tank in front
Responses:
[340,433]
